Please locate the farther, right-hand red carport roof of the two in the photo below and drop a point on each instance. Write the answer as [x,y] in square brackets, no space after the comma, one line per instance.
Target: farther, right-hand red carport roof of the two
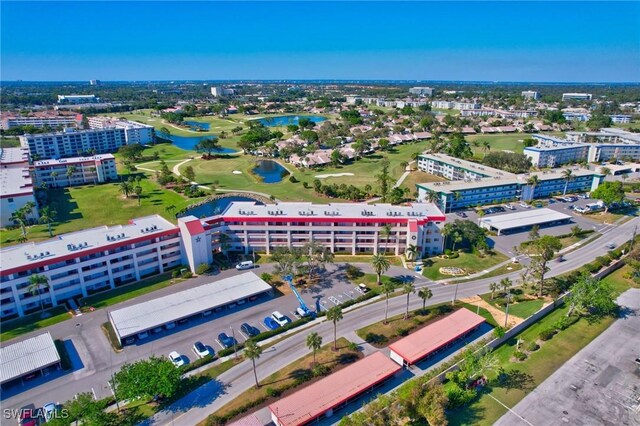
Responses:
[434,336]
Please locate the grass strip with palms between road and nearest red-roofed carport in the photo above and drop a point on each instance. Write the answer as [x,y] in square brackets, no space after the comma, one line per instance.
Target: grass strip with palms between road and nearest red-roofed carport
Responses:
[292,376]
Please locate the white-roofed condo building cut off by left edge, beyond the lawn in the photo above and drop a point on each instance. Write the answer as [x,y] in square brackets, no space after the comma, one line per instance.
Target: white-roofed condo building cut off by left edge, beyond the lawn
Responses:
[16,184]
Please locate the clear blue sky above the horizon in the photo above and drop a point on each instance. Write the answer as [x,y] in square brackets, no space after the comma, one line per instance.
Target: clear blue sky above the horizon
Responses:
[501,41]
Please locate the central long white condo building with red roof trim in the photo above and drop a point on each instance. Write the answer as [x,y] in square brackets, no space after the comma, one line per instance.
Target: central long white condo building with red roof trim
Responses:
[348,228]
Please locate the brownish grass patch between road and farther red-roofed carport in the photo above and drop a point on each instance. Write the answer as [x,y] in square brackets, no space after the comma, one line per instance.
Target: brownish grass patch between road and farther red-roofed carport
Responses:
[380,334]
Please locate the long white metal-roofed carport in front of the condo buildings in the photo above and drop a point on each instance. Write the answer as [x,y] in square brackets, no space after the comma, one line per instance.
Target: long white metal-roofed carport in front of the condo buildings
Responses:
[146,316]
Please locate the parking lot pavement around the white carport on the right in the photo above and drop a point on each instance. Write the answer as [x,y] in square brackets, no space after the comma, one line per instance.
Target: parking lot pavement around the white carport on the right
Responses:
[506,243]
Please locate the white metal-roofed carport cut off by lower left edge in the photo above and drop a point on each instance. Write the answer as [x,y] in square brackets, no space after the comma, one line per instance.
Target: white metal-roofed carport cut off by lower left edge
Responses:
[28,356]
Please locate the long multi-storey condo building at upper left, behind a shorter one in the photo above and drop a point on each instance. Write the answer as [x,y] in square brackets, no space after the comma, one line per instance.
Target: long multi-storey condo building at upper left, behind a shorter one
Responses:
[72,143]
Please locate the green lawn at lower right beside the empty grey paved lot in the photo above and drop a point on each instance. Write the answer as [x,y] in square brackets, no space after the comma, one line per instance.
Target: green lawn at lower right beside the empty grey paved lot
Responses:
[535,369]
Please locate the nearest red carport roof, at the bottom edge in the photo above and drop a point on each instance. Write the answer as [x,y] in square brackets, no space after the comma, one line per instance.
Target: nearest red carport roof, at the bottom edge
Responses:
[313,401]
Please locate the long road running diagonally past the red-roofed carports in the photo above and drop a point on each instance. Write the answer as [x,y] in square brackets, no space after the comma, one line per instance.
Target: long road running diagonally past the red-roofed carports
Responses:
[196,406]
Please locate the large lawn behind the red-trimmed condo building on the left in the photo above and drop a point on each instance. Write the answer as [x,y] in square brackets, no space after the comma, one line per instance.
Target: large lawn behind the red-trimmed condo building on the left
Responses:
[98,205]
